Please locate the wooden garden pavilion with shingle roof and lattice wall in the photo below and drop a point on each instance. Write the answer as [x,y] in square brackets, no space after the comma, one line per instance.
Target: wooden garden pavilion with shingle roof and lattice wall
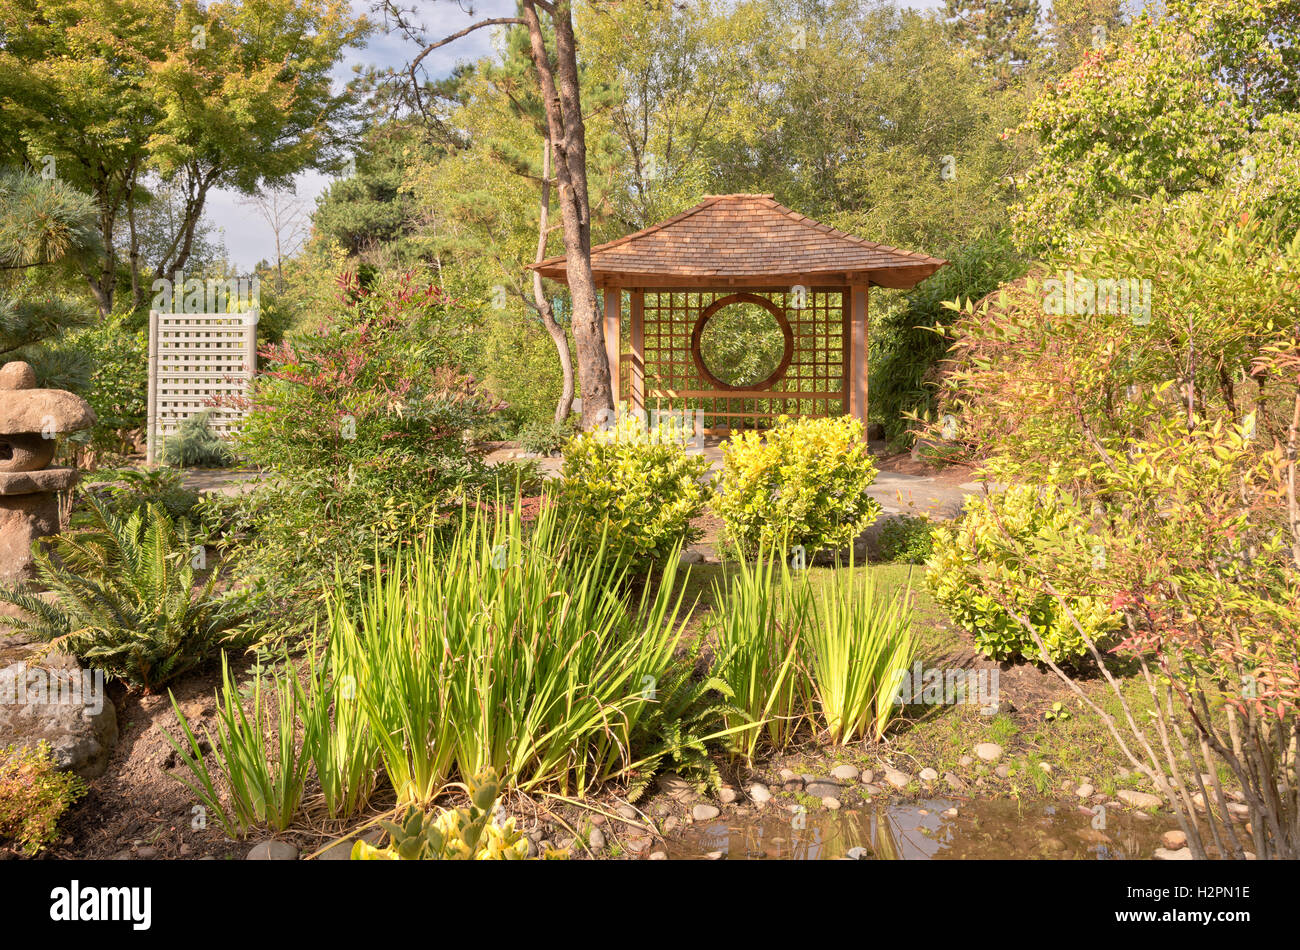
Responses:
[743,250]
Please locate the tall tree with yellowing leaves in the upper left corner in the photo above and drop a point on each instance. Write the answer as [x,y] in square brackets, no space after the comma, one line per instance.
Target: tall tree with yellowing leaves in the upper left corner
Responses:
[232,96]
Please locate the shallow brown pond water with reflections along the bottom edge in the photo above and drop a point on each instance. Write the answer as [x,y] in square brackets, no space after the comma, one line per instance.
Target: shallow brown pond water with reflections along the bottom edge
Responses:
[926,830]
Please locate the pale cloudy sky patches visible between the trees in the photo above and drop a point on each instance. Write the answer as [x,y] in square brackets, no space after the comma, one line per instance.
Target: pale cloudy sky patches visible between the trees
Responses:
[246,235]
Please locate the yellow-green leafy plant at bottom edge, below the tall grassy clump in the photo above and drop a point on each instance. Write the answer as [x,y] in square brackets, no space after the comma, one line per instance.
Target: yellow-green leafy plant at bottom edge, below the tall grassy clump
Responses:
[467,834]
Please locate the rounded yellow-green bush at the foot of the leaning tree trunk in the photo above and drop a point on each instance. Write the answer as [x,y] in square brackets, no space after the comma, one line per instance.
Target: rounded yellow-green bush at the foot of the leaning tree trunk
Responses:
[635,485]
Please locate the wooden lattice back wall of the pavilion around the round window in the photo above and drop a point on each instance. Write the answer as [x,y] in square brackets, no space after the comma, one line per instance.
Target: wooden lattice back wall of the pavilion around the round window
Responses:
[814,383]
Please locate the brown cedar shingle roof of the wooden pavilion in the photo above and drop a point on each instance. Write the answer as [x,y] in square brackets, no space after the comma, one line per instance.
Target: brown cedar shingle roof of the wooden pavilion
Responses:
[747,241]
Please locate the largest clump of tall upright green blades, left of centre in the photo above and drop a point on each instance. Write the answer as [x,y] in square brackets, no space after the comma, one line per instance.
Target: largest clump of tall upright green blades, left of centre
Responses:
[439,631]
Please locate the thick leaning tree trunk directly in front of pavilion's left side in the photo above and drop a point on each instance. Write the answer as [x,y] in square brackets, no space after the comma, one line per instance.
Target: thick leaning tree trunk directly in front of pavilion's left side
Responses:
[569,137]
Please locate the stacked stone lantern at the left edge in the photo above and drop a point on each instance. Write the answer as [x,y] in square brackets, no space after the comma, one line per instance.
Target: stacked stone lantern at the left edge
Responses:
[31,420]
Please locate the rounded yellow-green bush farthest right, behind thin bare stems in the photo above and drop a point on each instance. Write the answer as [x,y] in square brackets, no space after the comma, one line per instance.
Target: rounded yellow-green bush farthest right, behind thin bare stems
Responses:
[976,570]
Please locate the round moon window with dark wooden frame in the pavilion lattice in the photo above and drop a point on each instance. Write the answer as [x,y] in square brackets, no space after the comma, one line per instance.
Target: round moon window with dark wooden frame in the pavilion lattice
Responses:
[742,342]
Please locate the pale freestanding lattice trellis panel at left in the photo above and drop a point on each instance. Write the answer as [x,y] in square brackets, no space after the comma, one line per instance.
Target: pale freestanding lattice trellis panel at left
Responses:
[194,361]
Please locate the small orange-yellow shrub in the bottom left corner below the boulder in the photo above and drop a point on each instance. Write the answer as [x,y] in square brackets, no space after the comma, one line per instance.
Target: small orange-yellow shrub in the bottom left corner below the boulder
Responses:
[34,796]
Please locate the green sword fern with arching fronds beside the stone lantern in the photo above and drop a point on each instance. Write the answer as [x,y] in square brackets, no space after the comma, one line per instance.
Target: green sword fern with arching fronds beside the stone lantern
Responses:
[127,598]
